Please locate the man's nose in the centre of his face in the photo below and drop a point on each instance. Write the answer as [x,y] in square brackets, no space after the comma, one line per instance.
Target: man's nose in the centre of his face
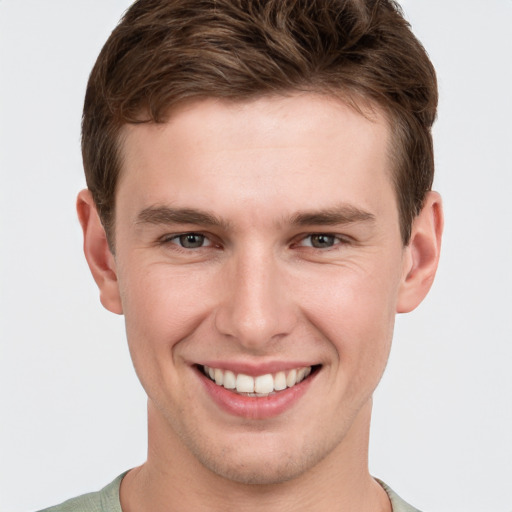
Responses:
[255,306]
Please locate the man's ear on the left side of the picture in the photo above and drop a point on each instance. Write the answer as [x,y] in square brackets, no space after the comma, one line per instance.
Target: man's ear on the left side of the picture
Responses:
[97,253]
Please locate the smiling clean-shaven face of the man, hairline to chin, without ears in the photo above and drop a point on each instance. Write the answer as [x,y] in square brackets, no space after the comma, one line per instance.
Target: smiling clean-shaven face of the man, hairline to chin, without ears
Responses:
[259,264]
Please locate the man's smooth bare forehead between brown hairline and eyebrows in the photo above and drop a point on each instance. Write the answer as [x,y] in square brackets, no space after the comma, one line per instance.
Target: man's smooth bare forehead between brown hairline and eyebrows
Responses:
[303,148]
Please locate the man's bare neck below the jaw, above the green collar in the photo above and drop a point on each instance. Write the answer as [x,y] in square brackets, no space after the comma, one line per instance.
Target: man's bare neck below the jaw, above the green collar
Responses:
[173,479]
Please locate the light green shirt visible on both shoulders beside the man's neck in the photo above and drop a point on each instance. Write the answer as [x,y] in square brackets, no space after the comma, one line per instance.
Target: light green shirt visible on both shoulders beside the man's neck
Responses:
[107,500]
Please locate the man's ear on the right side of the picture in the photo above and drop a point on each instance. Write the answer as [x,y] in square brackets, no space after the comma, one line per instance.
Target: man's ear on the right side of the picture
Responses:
[421,256]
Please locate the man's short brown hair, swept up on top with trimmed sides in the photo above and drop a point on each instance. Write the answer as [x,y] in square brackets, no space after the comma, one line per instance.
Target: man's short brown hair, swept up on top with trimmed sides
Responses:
[167,51]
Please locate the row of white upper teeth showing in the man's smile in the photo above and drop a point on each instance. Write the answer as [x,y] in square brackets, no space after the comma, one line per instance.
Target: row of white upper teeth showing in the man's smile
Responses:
[262,385]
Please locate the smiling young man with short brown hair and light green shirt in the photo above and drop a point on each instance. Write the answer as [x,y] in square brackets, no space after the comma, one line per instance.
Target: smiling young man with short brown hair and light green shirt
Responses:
[259,209]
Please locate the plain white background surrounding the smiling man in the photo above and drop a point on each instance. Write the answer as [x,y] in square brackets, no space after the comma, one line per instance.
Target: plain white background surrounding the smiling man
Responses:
[72,414]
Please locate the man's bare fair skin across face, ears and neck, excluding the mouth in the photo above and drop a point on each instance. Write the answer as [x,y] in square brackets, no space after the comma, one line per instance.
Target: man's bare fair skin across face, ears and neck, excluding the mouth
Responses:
[274,173]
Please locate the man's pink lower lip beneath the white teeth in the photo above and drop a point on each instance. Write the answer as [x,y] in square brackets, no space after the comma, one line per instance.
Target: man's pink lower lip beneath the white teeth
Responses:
[256,408]
